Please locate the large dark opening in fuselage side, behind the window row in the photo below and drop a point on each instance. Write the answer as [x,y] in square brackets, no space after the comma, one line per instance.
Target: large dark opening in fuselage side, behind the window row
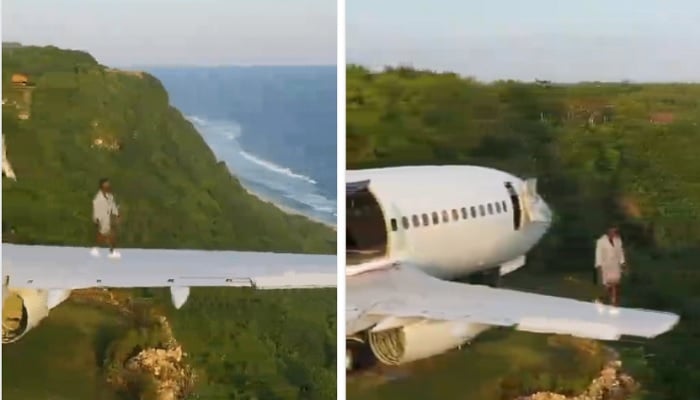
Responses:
[366,235]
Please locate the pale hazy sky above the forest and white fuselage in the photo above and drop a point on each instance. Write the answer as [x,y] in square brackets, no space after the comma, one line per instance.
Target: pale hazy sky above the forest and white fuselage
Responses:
[560,40]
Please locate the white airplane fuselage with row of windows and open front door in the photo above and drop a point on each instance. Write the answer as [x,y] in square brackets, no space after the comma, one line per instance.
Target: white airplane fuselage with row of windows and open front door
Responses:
[452,221]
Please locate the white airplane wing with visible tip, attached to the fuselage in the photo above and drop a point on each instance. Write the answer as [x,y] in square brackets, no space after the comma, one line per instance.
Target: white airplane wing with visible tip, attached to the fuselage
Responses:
[401,292]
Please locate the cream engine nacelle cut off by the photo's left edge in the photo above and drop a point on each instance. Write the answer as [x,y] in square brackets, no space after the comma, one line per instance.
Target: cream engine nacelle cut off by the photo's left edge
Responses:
[23,309]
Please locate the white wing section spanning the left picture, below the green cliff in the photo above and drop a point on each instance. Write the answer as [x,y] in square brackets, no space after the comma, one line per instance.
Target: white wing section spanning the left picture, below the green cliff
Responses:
[58,267]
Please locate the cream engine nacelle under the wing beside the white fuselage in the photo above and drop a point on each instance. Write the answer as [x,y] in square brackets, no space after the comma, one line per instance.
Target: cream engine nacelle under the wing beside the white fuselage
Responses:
[420,340]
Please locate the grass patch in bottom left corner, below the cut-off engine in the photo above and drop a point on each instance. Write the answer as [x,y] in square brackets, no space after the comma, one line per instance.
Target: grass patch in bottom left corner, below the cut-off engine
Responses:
[61,359]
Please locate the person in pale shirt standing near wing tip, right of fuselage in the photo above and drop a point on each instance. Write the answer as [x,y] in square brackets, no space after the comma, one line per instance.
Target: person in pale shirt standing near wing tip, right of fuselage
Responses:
[610,262]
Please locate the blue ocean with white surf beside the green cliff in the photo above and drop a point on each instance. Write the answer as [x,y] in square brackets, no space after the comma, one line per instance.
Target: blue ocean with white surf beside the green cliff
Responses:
[274,127]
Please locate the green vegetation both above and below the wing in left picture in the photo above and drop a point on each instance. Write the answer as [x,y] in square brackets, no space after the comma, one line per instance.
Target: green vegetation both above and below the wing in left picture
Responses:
[77,121]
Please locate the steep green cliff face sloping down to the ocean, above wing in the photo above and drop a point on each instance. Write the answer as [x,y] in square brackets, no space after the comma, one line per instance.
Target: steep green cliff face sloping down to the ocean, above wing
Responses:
[85,121]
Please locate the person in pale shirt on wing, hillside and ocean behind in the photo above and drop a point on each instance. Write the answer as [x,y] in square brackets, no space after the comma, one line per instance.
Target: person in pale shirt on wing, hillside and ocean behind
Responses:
[104,209]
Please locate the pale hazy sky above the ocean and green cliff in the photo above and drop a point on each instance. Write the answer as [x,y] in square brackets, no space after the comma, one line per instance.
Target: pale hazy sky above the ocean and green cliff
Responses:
[166,32]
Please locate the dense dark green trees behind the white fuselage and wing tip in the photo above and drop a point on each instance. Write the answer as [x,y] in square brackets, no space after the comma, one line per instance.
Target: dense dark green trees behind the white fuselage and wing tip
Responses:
[603,152]
